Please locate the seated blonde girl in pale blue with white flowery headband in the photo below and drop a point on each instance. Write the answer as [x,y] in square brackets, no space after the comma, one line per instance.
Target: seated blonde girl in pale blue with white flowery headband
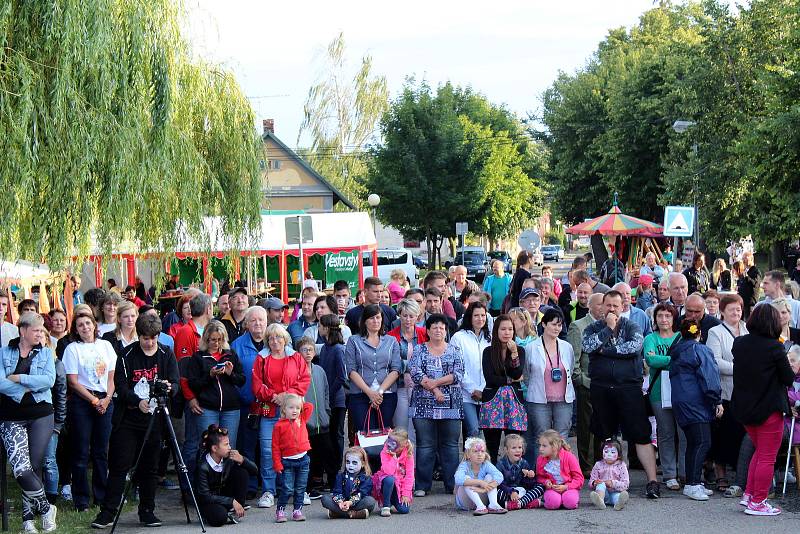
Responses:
[477,480]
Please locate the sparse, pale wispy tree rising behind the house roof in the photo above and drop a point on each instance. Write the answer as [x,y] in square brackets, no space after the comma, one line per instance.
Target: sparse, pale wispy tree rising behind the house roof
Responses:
[341,115]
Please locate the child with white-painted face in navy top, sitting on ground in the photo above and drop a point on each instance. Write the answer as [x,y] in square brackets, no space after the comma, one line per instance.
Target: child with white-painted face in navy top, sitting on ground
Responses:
[350,497]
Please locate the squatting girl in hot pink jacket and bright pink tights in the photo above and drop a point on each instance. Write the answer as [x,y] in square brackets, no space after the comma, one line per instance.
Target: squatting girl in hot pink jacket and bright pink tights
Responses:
[559,471]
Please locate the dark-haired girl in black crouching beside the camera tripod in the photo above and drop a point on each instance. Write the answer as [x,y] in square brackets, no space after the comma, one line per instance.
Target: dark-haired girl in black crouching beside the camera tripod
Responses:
[221,479]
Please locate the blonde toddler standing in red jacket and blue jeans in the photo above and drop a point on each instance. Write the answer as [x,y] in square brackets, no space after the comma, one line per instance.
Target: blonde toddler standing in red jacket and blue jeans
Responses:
[290,458]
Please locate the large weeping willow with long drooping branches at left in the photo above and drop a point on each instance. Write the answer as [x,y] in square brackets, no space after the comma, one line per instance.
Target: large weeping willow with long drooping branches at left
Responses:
[111,129]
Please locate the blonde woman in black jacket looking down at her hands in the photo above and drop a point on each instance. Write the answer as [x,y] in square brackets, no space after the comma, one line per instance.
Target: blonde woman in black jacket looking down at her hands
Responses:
[215,374]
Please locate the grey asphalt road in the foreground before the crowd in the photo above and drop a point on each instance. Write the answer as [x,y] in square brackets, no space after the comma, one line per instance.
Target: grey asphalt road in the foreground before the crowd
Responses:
[436,514]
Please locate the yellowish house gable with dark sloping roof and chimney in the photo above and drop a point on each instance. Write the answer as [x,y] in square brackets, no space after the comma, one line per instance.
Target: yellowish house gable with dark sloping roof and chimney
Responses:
[290,183]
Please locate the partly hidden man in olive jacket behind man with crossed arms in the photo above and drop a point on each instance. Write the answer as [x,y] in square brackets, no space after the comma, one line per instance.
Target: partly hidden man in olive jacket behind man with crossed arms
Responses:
[588,447]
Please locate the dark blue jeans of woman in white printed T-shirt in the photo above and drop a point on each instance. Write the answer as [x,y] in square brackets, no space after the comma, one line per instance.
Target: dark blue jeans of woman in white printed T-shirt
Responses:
[90,433]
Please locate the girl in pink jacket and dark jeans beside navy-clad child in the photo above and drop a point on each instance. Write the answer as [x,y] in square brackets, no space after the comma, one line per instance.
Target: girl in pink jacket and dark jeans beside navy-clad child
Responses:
[394,483]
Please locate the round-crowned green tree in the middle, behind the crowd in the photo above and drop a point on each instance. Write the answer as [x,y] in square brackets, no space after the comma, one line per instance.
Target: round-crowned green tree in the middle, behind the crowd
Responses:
[452,156]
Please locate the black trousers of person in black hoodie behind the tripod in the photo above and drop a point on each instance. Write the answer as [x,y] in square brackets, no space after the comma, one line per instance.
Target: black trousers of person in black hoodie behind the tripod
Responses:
[126,441]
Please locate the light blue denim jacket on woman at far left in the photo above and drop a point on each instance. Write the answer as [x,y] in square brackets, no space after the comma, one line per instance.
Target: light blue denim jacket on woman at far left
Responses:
[40,380]
